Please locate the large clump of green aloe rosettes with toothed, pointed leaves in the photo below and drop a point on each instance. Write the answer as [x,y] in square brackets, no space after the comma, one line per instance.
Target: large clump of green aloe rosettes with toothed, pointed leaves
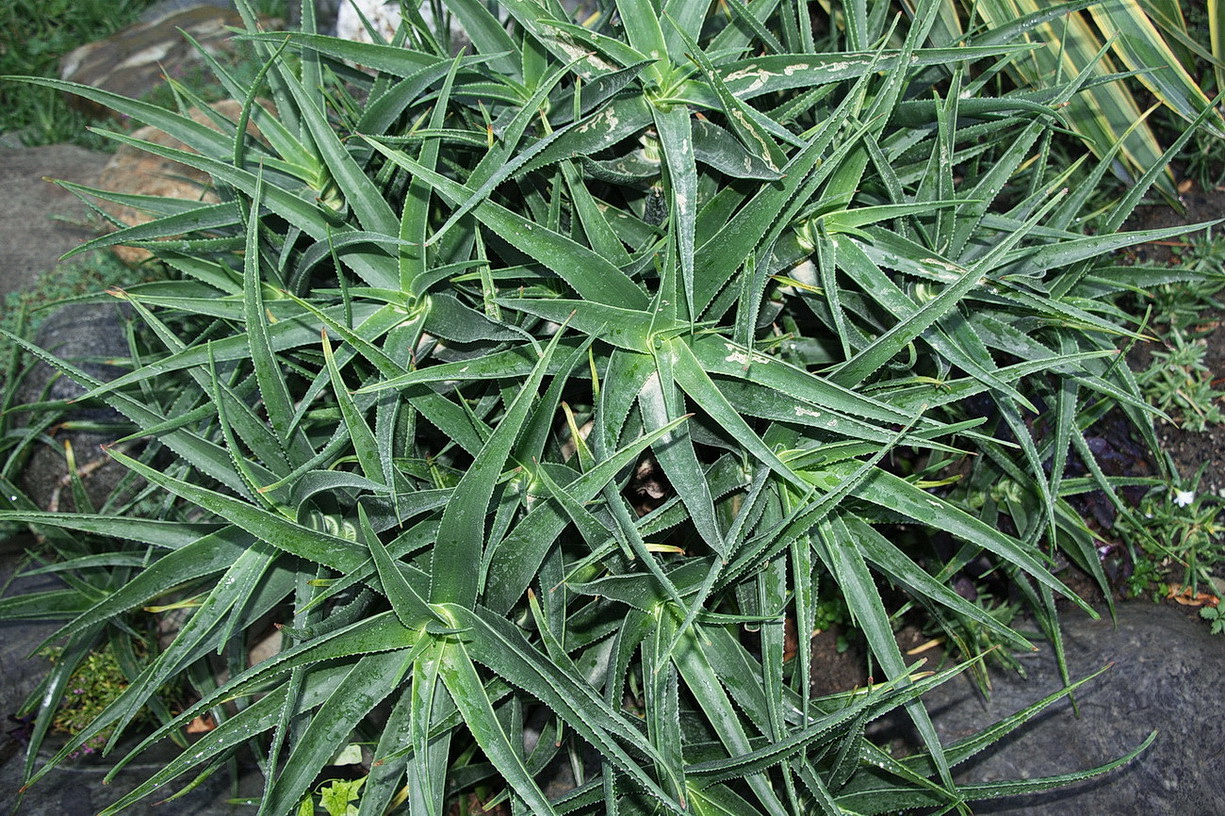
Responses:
[448,311]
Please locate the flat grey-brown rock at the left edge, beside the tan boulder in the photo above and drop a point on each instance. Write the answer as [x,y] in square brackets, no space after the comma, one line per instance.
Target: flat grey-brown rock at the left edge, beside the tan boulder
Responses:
[41,221]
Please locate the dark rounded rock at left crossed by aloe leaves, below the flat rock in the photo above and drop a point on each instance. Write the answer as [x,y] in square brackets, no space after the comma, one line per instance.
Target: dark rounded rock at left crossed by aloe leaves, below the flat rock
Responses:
[88,336]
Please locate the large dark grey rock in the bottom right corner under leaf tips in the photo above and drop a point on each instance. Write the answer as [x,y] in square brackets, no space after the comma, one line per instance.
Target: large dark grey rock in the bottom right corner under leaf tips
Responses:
[1167,677]
